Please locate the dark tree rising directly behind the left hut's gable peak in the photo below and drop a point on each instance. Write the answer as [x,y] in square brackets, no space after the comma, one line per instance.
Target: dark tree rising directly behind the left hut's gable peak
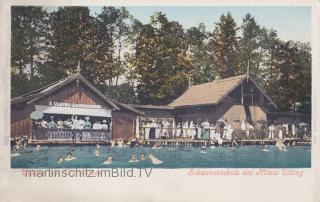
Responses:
[71,33]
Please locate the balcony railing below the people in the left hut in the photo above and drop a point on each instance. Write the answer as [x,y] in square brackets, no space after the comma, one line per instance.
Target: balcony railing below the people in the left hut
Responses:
[65,134]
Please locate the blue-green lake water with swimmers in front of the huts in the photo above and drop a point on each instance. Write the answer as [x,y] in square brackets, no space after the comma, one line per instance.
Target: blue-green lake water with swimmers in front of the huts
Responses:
[218,157]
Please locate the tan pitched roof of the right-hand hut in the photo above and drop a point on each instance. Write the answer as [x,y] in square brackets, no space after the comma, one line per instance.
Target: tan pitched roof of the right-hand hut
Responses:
[211,93]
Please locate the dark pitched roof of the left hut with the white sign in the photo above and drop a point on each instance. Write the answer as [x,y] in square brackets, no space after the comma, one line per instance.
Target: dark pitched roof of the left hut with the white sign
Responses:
[42,92]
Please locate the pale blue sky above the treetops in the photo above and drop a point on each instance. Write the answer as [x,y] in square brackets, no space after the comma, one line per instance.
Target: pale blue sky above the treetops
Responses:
[291,22]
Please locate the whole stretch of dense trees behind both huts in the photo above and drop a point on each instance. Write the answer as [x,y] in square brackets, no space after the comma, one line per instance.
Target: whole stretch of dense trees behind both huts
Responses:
[153,63]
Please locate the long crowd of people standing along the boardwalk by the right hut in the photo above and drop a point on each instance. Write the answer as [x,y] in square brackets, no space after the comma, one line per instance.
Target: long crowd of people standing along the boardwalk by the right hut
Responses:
[152,129]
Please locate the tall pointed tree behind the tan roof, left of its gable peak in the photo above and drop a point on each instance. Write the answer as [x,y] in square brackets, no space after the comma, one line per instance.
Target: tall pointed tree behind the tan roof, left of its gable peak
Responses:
[225,47]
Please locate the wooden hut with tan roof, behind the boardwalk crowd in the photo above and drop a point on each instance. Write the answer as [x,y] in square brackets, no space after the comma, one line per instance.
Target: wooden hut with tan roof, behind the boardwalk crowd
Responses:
[233,99]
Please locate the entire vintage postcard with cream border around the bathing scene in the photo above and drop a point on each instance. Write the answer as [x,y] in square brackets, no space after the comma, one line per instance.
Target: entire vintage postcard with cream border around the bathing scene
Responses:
[131,90]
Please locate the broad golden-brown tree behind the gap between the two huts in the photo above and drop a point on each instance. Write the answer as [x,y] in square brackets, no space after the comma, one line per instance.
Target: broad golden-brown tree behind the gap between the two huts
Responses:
[161,60]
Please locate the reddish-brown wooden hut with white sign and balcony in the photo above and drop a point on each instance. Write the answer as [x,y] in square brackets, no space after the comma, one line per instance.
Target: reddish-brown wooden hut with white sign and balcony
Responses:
[69,100]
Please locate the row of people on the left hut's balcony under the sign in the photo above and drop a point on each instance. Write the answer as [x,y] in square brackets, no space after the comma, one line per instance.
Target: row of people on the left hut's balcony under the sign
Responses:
[74,123]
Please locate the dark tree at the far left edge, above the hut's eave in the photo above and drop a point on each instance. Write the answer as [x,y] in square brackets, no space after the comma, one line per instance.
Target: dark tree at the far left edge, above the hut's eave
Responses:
[29,42]
